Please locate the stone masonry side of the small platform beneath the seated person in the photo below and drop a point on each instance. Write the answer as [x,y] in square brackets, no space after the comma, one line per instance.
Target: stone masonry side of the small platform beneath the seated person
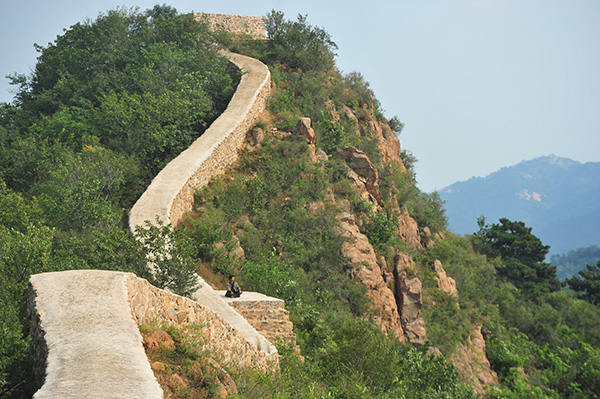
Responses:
[269,317]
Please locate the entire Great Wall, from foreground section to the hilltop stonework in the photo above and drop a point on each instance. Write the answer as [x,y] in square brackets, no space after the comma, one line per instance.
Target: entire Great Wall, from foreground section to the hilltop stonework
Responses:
[85,336]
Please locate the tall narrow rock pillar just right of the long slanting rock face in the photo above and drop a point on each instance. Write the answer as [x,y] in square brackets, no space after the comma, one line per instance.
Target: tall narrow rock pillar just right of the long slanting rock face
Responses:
[409,297]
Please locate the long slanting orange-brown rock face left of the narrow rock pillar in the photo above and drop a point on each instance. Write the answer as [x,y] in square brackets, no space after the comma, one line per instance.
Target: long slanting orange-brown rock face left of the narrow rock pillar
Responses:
[363,259]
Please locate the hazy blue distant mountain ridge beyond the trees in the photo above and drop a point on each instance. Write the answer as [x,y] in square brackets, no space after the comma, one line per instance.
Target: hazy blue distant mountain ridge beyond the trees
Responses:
[558,197]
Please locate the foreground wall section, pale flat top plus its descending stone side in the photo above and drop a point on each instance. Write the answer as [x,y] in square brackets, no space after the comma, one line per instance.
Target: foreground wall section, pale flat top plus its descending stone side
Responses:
[86,342]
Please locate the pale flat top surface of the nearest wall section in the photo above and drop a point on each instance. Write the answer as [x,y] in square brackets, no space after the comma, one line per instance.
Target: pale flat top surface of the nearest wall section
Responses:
[91,338]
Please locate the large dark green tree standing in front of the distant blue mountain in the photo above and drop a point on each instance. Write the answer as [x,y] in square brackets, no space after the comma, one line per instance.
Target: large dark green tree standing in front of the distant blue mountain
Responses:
[522,255]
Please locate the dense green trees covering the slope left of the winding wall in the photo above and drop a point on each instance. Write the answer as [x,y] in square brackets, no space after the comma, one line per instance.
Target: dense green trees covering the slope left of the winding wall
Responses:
[109,103]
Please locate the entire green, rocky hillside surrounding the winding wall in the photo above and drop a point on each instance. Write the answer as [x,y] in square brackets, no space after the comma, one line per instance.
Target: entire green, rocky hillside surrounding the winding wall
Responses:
[334,225]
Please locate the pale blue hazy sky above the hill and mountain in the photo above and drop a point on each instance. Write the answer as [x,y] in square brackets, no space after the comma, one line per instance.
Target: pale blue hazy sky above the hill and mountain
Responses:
[479,84]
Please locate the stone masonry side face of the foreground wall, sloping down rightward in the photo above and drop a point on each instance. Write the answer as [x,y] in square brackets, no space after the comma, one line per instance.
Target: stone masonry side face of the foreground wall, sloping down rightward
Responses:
[150,304]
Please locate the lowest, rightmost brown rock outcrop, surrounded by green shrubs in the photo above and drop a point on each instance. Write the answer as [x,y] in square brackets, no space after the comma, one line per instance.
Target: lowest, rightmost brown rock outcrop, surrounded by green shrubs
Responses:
[472,364]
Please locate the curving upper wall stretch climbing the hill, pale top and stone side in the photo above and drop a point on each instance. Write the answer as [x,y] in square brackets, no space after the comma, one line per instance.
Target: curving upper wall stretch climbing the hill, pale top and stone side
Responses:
[171,194]
